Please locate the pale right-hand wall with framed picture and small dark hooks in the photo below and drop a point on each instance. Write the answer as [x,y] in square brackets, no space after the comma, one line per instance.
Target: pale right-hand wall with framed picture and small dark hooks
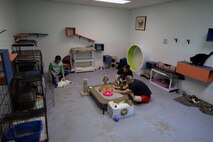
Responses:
[183,19]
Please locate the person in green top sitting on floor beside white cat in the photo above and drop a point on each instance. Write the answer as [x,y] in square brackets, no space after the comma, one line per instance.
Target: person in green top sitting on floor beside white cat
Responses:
[56,70]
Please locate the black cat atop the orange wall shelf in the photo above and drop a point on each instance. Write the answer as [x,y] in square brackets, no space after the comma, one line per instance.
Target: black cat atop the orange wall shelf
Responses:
[200,59]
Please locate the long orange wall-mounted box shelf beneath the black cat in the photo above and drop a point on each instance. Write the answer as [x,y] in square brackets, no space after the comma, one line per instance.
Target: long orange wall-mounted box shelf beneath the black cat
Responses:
[202,73]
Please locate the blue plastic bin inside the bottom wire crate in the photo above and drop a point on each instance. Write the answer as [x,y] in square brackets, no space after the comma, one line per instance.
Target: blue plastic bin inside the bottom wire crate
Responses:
[25,132]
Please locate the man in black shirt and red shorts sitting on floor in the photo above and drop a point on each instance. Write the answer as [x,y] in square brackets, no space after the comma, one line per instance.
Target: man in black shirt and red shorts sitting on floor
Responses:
[137,89]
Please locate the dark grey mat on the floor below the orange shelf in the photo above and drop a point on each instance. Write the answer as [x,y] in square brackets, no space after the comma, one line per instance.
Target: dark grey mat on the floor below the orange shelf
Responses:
[203,106]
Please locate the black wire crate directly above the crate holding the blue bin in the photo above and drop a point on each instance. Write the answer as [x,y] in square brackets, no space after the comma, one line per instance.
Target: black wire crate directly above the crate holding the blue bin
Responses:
[27,94]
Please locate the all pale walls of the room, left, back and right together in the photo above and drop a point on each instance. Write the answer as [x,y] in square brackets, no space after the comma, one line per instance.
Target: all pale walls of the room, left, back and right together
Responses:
[183,19]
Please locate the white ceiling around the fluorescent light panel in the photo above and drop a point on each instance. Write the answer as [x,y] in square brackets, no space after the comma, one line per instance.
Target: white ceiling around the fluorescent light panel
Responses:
[132,5]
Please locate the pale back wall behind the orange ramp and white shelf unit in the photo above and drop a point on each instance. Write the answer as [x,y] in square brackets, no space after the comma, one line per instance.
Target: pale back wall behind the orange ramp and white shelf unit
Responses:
[105,25]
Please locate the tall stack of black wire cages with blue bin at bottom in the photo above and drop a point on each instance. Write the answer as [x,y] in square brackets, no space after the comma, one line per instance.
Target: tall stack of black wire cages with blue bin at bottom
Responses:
[27,120]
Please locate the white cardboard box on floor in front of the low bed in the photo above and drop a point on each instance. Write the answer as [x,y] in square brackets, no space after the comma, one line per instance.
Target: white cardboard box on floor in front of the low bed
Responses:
[120,112]
